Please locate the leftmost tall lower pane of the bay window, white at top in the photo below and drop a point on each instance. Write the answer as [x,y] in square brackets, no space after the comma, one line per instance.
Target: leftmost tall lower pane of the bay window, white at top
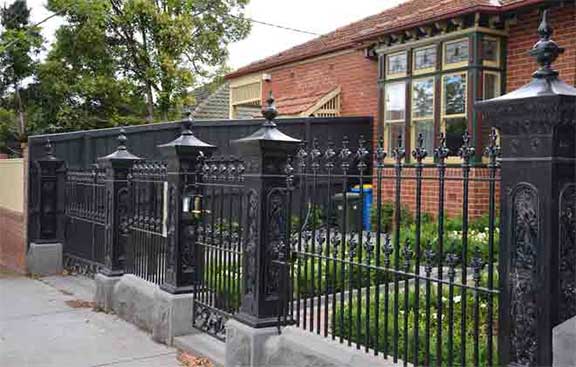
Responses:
[395,112]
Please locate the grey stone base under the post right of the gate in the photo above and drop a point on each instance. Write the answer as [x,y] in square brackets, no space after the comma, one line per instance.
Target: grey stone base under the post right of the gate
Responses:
[246,346]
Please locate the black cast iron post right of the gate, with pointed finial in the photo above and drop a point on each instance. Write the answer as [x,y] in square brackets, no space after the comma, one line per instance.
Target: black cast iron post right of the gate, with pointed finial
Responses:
[266,154]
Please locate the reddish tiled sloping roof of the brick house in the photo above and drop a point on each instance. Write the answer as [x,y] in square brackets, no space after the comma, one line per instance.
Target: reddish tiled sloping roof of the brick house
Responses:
[409,14]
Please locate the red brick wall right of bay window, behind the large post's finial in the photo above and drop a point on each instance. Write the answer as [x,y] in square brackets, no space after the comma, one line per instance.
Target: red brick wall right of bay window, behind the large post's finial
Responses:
[523,36]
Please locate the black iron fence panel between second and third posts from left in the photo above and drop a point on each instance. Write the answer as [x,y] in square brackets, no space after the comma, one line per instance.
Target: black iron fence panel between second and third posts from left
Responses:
[144,229]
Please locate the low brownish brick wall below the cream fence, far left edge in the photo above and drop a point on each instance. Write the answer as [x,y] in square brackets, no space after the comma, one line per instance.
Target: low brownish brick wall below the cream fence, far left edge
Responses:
[12,240]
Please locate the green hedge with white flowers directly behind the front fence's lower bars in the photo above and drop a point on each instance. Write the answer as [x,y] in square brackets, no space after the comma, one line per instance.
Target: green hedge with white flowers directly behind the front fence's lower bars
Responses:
[356,313]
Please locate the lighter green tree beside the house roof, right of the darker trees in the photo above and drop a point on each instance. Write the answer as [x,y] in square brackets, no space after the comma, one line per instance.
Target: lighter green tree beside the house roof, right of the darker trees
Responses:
[163,46]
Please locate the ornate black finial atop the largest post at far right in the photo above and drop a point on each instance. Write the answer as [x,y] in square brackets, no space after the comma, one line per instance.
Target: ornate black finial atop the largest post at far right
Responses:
[546,51]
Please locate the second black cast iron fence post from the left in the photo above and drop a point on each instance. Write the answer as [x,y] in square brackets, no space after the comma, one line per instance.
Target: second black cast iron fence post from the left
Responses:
[117,167]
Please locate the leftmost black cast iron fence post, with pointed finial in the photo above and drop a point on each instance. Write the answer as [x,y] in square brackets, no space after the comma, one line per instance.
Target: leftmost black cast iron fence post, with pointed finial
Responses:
[50,204]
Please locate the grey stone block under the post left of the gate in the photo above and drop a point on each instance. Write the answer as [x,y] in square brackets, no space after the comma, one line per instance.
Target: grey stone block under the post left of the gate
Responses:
[173,316]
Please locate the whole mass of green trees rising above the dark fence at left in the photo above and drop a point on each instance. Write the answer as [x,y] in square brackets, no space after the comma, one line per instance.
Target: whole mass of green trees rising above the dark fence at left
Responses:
[114,62]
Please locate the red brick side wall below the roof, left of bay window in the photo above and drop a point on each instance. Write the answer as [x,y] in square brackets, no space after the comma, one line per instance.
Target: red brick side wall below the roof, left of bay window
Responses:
[354,73]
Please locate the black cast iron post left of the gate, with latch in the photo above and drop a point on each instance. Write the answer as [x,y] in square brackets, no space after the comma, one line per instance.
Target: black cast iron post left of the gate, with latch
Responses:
[183,157]
